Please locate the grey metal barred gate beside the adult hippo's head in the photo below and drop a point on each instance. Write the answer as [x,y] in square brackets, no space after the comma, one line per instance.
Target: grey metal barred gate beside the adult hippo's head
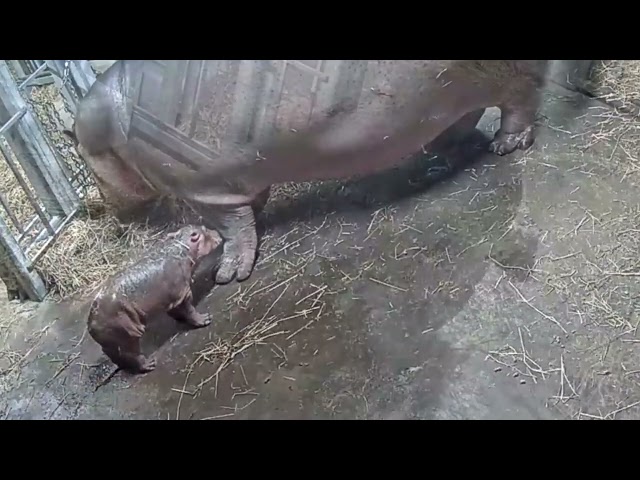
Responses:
[39,192]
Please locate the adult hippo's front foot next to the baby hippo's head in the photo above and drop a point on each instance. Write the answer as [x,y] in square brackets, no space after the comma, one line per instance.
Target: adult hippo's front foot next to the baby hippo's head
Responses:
[240,247]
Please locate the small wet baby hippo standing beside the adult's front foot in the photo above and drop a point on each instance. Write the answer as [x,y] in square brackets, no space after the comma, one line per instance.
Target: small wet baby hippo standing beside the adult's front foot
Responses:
[158,282]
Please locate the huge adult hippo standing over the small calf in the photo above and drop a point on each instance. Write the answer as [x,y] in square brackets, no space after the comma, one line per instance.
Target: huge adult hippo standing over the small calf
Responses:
[218,133]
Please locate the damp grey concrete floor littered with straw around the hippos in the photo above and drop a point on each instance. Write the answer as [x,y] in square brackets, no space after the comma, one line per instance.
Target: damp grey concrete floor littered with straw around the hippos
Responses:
[422,313]
